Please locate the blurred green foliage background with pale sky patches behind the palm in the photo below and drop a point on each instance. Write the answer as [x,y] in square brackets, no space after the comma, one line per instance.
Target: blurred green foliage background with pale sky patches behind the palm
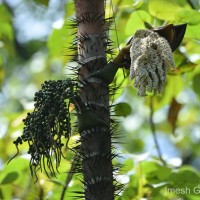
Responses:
[34,40]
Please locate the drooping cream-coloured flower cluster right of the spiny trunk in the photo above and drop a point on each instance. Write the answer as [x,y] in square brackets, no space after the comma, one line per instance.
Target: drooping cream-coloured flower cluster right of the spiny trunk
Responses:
[151,58]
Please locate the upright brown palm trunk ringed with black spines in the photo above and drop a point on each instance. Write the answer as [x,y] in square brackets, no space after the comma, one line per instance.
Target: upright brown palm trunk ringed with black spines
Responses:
[95,129]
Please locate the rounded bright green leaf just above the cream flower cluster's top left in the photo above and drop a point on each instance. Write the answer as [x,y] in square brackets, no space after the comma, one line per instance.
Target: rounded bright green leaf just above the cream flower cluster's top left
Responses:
[136,21]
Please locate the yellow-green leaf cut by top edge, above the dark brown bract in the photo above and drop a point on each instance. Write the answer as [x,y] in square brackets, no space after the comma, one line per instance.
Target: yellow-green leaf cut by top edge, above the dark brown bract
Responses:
[164,9]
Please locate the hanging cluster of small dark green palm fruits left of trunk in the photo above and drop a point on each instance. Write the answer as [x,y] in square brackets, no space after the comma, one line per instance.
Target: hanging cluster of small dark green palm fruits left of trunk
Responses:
[48,124]
